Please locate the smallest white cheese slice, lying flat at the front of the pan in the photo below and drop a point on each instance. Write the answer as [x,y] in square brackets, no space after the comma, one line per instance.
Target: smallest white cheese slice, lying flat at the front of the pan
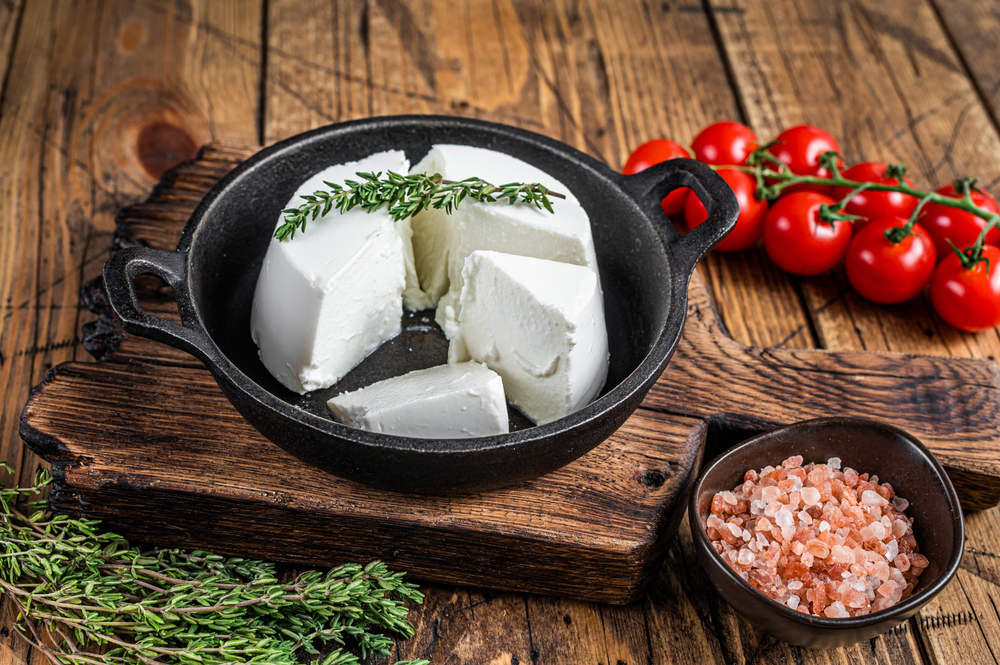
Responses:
[445,402]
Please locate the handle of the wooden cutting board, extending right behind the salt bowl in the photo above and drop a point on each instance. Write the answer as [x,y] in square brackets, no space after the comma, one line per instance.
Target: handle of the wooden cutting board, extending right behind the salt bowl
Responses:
[950,404]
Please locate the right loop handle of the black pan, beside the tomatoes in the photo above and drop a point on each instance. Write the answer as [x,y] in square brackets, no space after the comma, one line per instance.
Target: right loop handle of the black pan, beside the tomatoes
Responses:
[650,186]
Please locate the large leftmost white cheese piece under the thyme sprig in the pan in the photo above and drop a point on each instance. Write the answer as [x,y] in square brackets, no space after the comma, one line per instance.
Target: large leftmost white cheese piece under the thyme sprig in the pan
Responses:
[329,297]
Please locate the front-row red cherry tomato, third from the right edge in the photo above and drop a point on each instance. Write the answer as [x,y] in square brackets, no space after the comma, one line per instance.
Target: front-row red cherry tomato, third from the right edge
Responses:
[798,240]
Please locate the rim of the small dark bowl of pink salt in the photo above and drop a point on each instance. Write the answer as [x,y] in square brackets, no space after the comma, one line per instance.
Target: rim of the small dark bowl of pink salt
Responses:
[908,606]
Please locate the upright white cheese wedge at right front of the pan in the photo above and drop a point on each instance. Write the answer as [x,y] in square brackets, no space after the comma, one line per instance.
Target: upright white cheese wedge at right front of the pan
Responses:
[539,324]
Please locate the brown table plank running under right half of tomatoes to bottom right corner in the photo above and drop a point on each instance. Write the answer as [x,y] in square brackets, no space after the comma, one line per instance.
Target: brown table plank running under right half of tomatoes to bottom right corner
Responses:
[890,87]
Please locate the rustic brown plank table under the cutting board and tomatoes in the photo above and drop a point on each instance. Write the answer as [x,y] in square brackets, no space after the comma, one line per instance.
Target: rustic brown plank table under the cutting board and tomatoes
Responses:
[99,98]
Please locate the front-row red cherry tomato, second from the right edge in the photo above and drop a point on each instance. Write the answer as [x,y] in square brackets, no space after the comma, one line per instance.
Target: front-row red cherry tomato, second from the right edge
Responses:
[886,272]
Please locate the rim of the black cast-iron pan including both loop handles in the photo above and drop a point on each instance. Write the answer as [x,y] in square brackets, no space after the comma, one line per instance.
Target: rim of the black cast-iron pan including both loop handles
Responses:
[645,189]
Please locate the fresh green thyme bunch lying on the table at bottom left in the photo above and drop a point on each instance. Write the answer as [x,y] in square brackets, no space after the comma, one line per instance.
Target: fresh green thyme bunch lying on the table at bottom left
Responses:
[74,588]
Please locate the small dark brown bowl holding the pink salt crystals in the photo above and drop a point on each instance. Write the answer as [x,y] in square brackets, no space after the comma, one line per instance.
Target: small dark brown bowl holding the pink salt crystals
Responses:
[867,447]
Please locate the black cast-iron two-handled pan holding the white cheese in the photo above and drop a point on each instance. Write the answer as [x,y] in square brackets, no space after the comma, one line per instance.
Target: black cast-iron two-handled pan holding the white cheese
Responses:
[645,268]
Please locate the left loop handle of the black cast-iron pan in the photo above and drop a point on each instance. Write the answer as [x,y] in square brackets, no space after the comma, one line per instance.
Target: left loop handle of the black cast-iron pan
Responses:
[126,265]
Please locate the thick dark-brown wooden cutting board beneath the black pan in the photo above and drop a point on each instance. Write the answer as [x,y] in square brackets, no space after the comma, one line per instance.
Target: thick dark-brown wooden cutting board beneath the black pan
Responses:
[145,441]
